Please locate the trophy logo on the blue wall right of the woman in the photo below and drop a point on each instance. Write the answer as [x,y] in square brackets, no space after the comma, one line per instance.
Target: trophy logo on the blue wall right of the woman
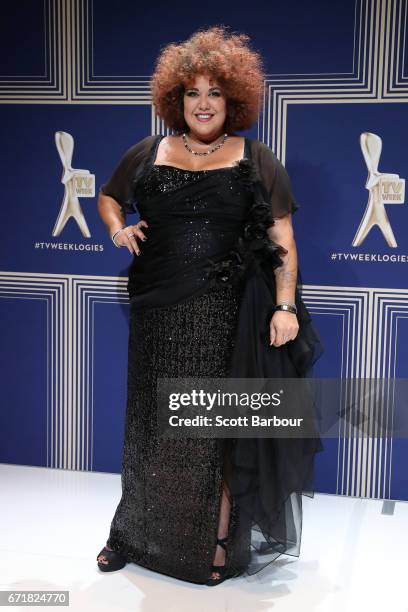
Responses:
[382,188]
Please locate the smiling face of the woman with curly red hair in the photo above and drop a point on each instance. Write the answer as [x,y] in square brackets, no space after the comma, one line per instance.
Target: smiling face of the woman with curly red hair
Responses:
[205,108]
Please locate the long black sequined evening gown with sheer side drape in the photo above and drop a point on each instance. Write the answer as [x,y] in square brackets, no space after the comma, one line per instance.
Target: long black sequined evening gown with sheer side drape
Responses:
[201,295]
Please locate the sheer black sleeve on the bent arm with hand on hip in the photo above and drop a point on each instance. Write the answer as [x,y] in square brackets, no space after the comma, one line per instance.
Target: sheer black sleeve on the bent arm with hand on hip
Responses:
[120,186]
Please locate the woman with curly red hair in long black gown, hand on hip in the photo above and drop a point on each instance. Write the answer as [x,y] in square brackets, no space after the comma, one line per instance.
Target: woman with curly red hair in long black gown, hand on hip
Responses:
[215,266]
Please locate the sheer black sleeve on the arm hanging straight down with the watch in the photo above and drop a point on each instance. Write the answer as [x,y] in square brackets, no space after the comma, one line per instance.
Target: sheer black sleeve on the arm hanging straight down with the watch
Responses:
[276,181]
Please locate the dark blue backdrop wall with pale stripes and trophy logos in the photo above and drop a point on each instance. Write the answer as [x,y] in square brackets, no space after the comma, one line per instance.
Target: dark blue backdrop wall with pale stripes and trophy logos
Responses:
[75,95]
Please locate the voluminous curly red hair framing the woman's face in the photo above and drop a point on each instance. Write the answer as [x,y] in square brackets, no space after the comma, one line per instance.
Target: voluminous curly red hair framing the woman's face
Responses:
[227,58]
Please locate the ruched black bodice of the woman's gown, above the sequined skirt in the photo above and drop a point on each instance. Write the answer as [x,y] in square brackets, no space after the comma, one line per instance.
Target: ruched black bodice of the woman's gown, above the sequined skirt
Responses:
[192,216]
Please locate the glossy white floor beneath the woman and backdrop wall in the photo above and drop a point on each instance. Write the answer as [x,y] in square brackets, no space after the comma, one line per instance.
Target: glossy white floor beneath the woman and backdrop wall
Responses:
[54,522]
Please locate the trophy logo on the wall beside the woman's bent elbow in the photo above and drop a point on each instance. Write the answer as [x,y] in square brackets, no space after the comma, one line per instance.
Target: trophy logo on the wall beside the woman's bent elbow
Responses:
[78,183]
